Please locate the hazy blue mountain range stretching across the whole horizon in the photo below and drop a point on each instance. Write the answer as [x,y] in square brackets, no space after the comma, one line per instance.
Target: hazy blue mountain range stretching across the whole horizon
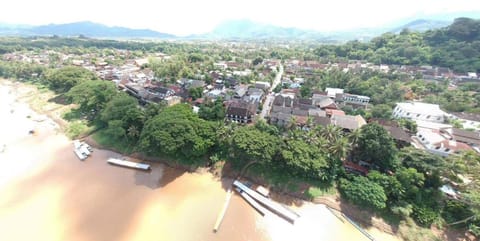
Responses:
[232,29]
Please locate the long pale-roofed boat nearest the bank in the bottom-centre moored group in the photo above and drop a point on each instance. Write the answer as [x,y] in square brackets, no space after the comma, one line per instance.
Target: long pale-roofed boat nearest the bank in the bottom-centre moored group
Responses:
[269,204]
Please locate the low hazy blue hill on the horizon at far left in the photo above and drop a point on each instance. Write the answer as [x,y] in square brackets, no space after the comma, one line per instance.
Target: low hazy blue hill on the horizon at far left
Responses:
[88,29]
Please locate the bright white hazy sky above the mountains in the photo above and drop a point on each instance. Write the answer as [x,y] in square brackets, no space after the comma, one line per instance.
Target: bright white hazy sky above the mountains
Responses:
[198,16]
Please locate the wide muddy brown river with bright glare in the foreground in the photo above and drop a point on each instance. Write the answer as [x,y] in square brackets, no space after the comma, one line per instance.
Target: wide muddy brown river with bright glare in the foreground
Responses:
[46,193]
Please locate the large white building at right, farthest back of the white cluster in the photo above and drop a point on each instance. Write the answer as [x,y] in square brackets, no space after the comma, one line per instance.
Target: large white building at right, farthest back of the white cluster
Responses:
[420,112]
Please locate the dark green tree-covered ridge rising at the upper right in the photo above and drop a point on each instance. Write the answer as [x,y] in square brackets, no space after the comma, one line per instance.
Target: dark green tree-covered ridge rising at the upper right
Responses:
[456,46]
